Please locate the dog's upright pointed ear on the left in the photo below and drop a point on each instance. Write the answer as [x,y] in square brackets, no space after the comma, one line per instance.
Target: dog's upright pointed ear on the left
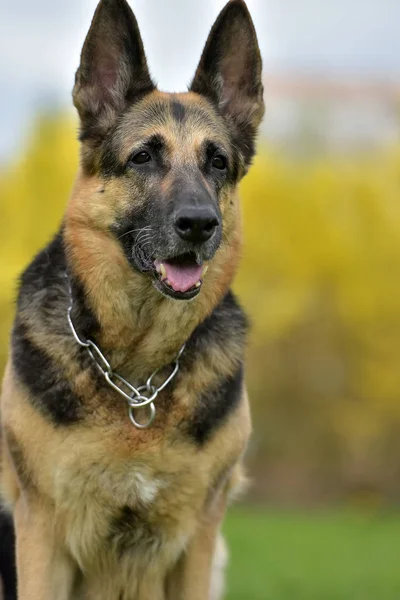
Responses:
[113,69]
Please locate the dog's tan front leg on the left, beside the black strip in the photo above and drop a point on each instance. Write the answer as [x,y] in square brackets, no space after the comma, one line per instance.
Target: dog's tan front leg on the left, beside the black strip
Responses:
[44,571]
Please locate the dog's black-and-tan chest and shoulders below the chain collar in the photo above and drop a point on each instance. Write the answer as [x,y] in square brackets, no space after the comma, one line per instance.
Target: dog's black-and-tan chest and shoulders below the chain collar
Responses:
[117,490]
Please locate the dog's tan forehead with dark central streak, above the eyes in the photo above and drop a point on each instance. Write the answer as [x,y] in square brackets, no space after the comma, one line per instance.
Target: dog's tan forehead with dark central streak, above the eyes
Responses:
[183,120]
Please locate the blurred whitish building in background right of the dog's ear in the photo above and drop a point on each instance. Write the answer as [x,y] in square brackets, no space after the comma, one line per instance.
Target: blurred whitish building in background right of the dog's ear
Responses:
[308,115]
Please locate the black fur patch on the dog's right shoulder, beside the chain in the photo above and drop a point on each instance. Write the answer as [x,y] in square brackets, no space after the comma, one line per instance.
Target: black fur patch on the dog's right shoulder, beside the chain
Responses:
[214,407]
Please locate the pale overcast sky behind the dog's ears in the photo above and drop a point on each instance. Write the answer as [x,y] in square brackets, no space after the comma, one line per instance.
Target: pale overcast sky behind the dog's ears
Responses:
[40,42]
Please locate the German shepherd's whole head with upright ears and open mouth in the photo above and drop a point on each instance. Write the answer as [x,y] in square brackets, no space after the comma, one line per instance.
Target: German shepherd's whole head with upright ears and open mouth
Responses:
[166,166]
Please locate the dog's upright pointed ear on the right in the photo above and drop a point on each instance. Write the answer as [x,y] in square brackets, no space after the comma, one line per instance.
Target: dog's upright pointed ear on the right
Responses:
[230,73]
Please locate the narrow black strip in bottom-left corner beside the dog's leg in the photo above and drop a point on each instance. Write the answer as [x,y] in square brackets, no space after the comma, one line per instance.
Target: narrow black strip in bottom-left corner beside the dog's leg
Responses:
[8,571]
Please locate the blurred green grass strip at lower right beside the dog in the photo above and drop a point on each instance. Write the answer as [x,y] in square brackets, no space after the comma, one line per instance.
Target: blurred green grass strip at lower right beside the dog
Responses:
[314,556]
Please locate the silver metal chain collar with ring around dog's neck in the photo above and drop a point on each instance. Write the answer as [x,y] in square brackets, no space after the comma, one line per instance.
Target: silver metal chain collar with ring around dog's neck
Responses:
[136,398]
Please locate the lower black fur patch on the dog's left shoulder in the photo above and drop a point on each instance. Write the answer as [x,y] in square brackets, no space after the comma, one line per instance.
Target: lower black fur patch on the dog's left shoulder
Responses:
[50,393]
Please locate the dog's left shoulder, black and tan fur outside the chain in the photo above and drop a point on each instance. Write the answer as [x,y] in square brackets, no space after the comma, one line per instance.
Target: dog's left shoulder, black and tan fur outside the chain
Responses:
[38,332]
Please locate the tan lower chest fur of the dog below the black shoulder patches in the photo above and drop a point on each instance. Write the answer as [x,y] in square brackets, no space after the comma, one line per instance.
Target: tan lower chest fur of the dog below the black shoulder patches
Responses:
[122,496]
